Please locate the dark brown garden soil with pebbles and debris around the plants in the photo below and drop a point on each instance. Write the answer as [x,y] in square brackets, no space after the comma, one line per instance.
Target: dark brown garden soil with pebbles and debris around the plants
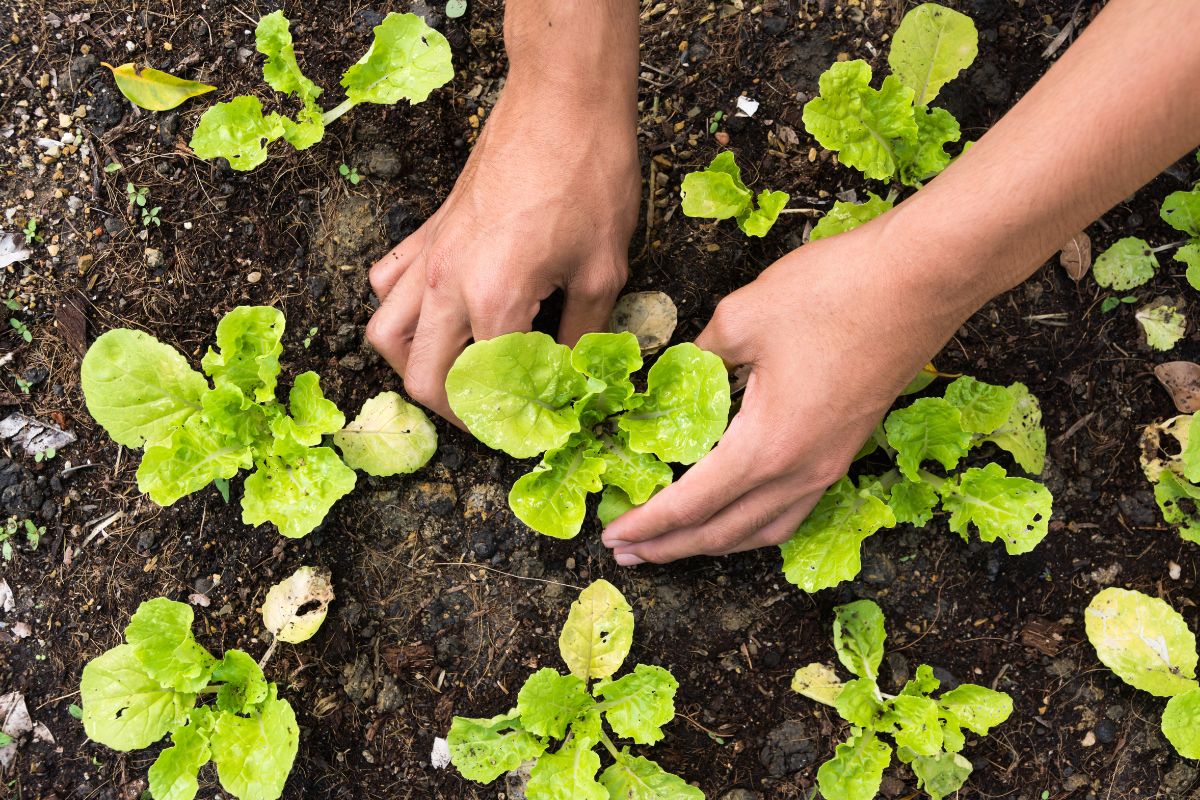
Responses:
[445,601]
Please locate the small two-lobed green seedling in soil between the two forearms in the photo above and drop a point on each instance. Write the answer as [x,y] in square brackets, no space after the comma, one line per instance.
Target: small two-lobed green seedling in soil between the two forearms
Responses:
[718,194]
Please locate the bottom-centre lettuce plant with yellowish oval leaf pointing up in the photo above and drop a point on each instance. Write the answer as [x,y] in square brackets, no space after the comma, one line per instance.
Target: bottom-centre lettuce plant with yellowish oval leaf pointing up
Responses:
[572,708]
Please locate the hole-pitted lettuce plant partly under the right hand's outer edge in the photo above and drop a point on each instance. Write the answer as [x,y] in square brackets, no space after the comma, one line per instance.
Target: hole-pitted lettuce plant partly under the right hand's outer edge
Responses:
[826,549]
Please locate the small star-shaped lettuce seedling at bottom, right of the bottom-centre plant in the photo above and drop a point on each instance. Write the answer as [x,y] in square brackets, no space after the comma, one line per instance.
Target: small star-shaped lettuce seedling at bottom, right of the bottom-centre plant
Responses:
[928,732]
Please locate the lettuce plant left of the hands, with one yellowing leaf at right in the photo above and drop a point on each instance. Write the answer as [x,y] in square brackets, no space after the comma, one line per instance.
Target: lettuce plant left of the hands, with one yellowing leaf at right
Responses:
[146,395]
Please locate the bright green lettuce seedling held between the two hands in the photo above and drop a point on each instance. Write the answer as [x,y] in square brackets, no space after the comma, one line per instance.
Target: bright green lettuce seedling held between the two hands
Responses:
[527,395]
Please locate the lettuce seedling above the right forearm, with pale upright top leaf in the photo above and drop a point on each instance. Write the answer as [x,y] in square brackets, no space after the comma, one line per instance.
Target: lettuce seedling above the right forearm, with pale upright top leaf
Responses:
[892,133]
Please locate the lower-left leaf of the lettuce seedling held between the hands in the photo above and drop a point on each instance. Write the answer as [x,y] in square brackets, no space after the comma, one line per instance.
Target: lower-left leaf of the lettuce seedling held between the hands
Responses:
[553,500]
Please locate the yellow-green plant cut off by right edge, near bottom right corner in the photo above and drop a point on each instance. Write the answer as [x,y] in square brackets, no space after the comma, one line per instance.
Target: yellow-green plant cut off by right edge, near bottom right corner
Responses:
[1149,646]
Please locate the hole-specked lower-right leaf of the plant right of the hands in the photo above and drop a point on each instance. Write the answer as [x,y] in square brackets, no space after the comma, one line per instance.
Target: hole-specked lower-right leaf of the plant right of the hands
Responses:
[1015,510]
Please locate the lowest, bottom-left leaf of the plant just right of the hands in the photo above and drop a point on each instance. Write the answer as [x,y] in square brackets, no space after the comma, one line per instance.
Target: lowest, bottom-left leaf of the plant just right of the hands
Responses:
[825,550]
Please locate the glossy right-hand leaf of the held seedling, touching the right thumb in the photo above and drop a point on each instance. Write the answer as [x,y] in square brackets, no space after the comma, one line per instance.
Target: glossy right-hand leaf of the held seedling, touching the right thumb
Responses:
[687,406]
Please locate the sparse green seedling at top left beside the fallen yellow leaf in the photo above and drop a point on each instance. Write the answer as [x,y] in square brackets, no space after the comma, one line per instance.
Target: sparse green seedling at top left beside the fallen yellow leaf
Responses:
[407,61]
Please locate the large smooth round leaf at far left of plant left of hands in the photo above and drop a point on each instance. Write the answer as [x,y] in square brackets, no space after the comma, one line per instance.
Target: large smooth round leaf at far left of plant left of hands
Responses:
[137,388]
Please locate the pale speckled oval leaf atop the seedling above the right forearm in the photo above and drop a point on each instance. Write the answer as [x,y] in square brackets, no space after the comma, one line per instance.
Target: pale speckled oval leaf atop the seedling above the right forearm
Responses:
[931,49]
